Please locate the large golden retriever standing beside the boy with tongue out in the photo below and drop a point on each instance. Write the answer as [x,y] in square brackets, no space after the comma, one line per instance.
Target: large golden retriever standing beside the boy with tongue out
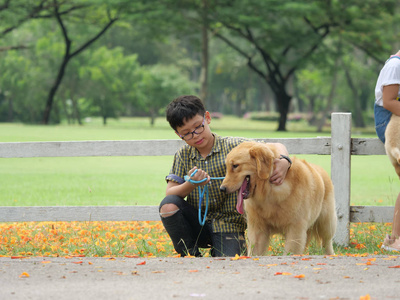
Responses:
[302,207]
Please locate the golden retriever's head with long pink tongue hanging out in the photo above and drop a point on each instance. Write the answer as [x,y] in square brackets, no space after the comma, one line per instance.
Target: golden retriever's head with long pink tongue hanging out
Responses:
[246,165]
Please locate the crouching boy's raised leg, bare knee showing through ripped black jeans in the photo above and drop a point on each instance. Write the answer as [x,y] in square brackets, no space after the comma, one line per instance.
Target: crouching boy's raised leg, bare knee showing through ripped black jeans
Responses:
[180,221]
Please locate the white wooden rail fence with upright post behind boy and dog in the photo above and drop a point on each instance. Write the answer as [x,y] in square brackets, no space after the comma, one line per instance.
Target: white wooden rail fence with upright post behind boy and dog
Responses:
[340,146]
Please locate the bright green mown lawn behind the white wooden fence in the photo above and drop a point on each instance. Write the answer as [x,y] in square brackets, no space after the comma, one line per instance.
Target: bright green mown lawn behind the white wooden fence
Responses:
[140,180]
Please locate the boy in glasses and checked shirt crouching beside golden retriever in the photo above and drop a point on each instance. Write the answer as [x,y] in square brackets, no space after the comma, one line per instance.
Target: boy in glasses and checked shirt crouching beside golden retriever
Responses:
[205,152]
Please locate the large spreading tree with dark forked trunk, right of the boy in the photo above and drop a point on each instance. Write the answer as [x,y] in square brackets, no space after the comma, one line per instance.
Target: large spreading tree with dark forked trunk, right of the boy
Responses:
[282,37]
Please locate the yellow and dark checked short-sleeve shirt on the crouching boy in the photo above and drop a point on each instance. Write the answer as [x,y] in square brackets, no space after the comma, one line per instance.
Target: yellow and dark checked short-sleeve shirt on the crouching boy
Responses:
[222,207]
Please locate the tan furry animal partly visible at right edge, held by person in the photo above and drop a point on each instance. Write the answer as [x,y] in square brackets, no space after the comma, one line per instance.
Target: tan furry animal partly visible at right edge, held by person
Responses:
[392,142]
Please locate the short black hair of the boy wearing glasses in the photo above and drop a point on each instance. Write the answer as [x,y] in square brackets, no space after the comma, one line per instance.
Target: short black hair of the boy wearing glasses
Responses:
[182,109]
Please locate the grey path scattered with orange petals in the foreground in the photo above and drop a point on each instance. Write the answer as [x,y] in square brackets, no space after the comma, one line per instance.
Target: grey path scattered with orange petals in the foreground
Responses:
[301,277]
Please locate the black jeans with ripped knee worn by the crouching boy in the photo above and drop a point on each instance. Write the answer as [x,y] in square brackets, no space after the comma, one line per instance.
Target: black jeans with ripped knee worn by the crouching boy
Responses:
[188,235]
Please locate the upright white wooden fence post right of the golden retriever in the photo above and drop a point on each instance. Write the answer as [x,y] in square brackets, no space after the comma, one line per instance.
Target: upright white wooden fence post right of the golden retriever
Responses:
[340,173]
